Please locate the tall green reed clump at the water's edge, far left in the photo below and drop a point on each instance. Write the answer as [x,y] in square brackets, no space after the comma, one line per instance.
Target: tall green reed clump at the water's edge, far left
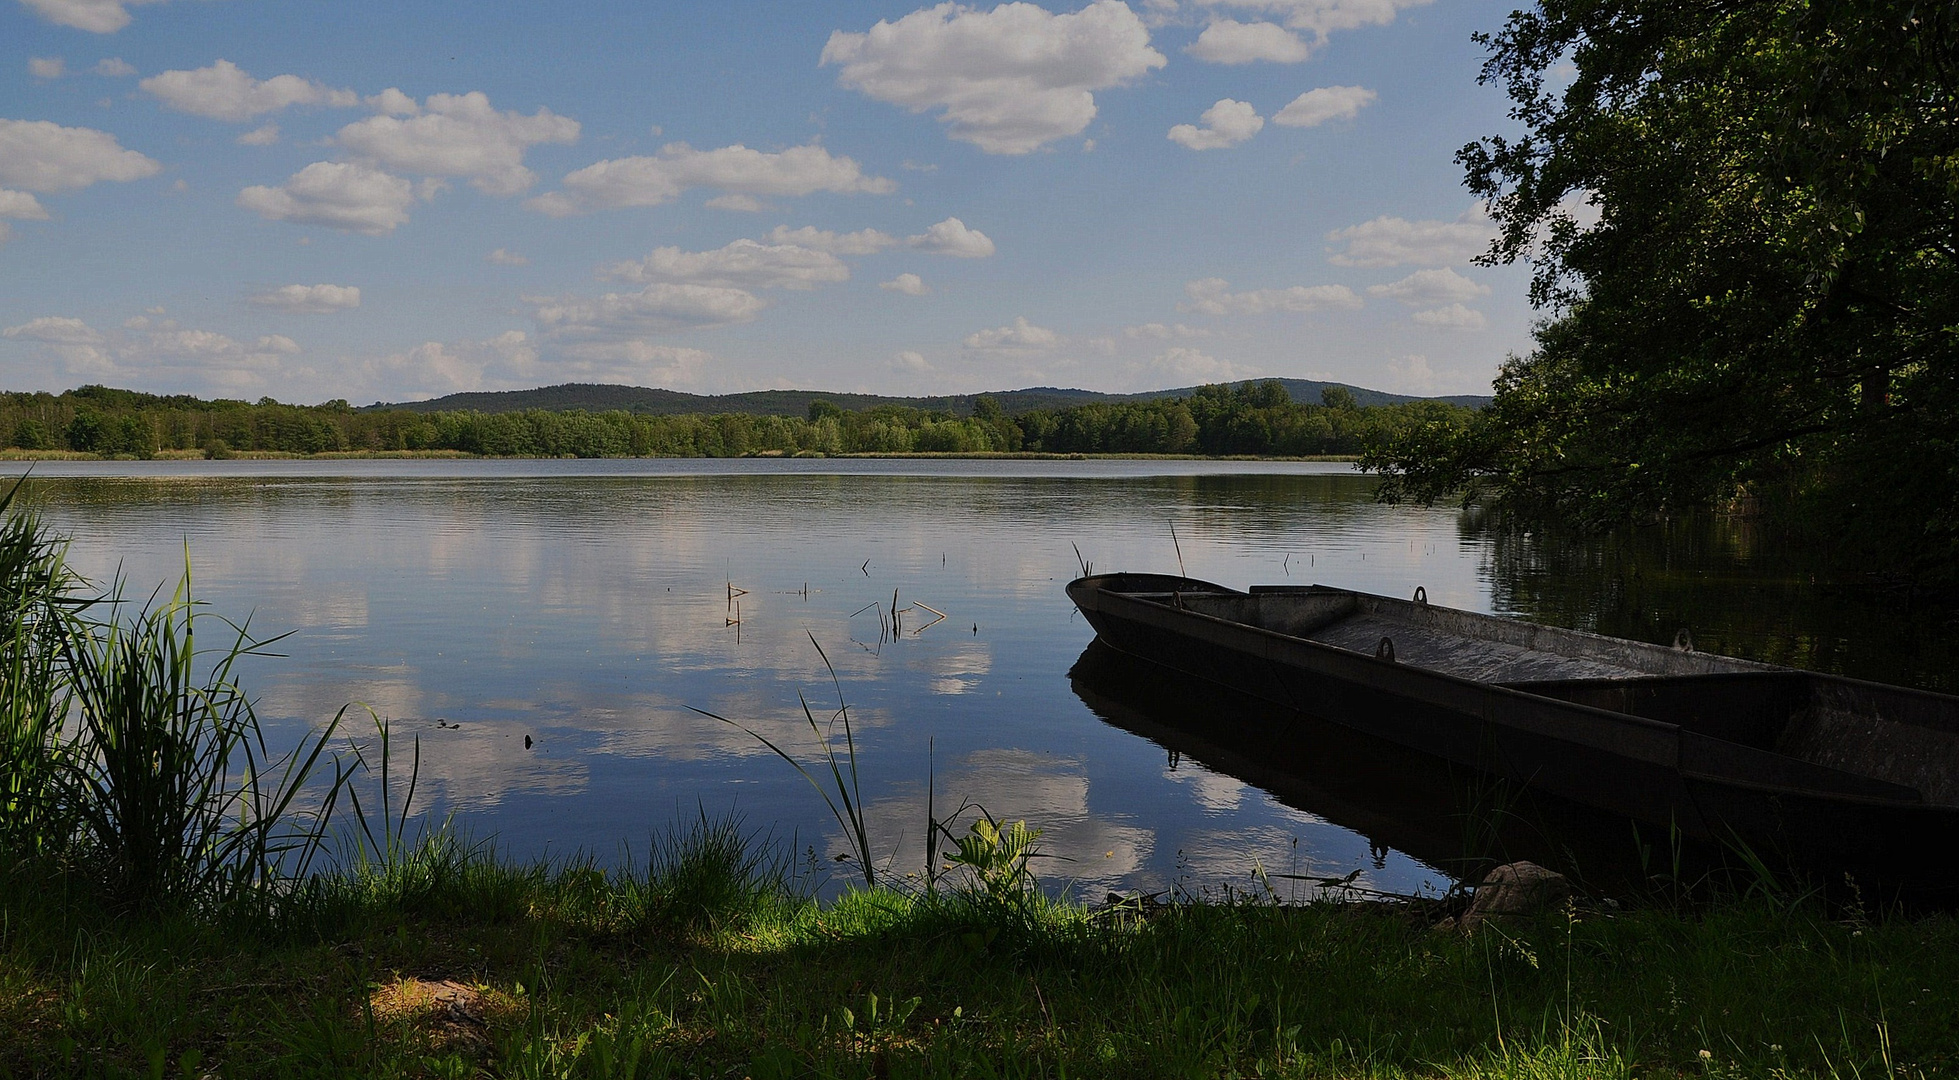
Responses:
[130,758]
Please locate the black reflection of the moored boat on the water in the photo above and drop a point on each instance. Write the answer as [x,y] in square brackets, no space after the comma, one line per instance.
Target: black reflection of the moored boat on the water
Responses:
[1447,816]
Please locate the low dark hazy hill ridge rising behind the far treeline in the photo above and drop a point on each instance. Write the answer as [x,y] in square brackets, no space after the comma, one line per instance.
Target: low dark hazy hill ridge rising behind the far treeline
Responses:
[647,401]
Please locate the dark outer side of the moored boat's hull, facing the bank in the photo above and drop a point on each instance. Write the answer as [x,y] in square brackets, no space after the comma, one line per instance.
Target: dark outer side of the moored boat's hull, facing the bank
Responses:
[1656,773]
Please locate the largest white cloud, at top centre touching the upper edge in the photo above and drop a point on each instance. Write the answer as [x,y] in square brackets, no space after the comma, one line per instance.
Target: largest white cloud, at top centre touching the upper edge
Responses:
[1008,79]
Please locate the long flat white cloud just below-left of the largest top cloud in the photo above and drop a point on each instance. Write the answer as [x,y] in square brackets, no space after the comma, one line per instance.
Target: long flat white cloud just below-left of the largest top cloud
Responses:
[651,181]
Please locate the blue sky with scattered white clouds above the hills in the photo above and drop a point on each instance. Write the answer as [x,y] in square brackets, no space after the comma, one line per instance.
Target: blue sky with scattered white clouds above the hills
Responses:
[399,201]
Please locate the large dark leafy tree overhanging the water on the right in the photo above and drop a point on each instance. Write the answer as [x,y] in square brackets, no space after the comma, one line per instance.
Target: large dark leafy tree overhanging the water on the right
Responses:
[1766,305]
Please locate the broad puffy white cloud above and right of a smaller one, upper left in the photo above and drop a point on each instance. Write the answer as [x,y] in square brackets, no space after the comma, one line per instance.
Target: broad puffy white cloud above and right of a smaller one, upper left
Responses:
[459,136]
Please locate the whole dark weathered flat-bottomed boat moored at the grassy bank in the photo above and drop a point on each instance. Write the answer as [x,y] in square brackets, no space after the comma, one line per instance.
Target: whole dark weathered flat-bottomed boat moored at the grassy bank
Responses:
[1827,771]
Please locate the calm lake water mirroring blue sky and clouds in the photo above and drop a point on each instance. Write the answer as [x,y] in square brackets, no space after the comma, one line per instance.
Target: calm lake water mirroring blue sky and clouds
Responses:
[591,607]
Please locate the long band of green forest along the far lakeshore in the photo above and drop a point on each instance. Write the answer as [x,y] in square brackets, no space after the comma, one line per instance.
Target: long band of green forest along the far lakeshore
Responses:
[1251,418]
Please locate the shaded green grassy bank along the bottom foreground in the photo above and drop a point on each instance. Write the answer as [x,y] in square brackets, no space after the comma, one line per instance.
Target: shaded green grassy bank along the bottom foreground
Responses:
[712,965]
